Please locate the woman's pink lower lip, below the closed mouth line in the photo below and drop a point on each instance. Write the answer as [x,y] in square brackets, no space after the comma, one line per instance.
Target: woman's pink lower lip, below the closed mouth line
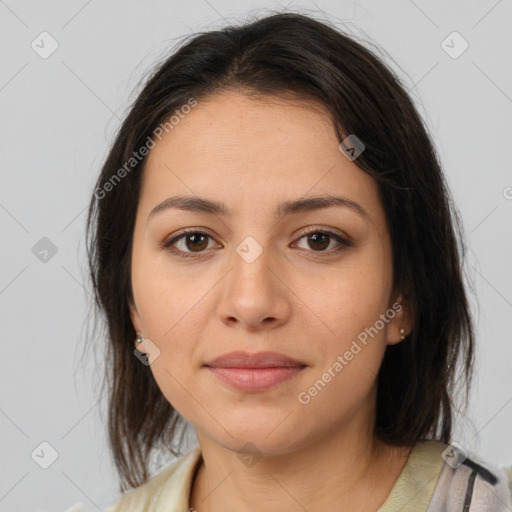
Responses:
[255,379]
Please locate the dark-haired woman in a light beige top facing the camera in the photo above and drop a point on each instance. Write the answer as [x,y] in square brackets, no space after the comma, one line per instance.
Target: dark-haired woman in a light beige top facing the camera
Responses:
[277,257]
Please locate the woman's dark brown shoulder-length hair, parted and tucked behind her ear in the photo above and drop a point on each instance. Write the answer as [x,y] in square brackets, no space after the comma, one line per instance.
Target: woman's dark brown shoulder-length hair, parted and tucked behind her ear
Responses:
[277,55]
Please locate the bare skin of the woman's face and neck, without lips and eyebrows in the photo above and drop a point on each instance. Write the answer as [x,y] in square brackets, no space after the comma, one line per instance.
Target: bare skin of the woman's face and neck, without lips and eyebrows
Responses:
[296,298]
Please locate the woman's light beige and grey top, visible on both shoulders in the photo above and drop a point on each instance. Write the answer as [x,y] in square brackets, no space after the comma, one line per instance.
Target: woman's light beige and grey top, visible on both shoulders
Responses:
[426,484]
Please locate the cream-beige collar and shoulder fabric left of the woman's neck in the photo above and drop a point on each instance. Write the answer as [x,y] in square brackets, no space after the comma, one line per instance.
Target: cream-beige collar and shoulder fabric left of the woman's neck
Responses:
[169,488]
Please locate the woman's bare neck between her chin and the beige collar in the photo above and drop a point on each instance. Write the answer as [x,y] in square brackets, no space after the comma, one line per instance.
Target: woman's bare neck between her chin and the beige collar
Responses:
[348,468]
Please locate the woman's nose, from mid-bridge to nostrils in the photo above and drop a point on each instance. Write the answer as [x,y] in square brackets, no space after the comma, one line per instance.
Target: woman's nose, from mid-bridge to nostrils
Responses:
[255,295]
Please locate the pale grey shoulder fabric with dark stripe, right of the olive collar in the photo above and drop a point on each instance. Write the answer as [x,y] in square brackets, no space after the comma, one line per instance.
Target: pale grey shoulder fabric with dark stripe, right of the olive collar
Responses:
[468,482]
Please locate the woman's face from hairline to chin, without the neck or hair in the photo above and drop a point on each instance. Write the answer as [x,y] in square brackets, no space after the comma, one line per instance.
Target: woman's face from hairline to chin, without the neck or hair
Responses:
[257,277]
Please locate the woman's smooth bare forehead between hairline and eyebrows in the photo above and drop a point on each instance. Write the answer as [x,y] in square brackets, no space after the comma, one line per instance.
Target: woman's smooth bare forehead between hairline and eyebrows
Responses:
[256,150]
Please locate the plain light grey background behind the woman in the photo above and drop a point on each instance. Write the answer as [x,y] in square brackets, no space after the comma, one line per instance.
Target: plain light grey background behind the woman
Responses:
[59,115]
